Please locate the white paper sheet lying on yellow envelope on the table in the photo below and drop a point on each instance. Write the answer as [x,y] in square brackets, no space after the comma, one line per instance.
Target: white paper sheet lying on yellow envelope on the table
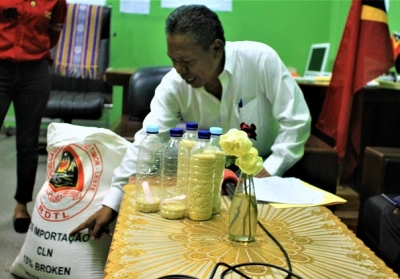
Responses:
[286,190]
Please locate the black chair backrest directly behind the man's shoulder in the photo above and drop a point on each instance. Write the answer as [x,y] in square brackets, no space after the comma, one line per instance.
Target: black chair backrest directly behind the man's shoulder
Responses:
[142,86]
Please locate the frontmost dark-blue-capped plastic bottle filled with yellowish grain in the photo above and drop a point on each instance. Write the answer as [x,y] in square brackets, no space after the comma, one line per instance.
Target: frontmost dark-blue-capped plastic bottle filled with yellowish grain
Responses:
[201,178]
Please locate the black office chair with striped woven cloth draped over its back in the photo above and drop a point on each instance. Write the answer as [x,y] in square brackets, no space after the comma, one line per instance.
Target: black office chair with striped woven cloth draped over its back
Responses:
[78,96]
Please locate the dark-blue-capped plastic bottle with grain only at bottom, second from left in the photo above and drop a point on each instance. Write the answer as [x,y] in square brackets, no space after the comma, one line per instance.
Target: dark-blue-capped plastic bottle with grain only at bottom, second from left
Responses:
[174,184]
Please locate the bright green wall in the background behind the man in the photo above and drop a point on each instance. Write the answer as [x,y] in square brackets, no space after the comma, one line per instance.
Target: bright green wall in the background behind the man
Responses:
[289,26]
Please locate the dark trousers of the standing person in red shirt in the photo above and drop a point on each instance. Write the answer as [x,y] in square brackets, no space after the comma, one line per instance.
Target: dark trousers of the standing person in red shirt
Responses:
[27,86]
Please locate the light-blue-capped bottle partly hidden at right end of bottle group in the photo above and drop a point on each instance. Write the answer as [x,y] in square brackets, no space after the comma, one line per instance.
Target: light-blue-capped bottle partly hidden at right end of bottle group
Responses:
[220,157]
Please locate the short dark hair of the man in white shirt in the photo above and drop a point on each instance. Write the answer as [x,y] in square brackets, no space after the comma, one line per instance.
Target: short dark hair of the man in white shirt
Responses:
[197,20]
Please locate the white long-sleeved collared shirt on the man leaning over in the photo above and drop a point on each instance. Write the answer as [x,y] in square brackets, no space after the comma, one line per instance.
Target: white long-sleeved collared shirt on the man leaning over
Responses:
[254,76]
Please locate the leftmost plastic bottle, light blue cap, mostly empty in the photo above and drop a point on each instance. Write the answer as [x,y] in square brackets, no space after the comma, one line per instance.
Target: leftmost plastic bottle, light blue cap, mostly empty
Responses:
[148,171]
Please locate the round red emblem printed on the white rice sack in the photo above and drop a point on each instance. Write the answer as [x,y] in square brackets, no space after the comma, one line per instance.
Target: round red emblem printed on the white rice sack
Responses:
[74,173]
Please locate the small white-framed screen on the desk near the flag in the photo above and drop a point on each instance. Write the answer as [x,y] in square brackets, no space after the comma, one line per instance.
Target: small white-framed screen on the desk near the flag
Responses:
[316,60]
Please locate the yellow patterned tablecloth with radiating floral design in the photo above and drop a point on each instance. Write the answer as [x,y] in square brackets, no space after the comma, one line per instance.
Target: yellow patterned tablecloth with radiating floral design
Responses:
[145,245]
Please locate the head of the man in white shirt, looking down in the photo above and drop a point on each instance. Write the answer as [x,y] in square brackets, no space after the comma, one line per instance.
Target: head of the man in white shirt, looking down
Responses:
[195,40]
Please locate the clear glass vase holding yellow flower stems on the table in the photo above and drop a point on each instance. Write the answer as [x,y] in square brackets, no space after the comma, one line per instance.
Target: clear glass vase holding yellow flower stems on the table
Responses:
[243,212]
